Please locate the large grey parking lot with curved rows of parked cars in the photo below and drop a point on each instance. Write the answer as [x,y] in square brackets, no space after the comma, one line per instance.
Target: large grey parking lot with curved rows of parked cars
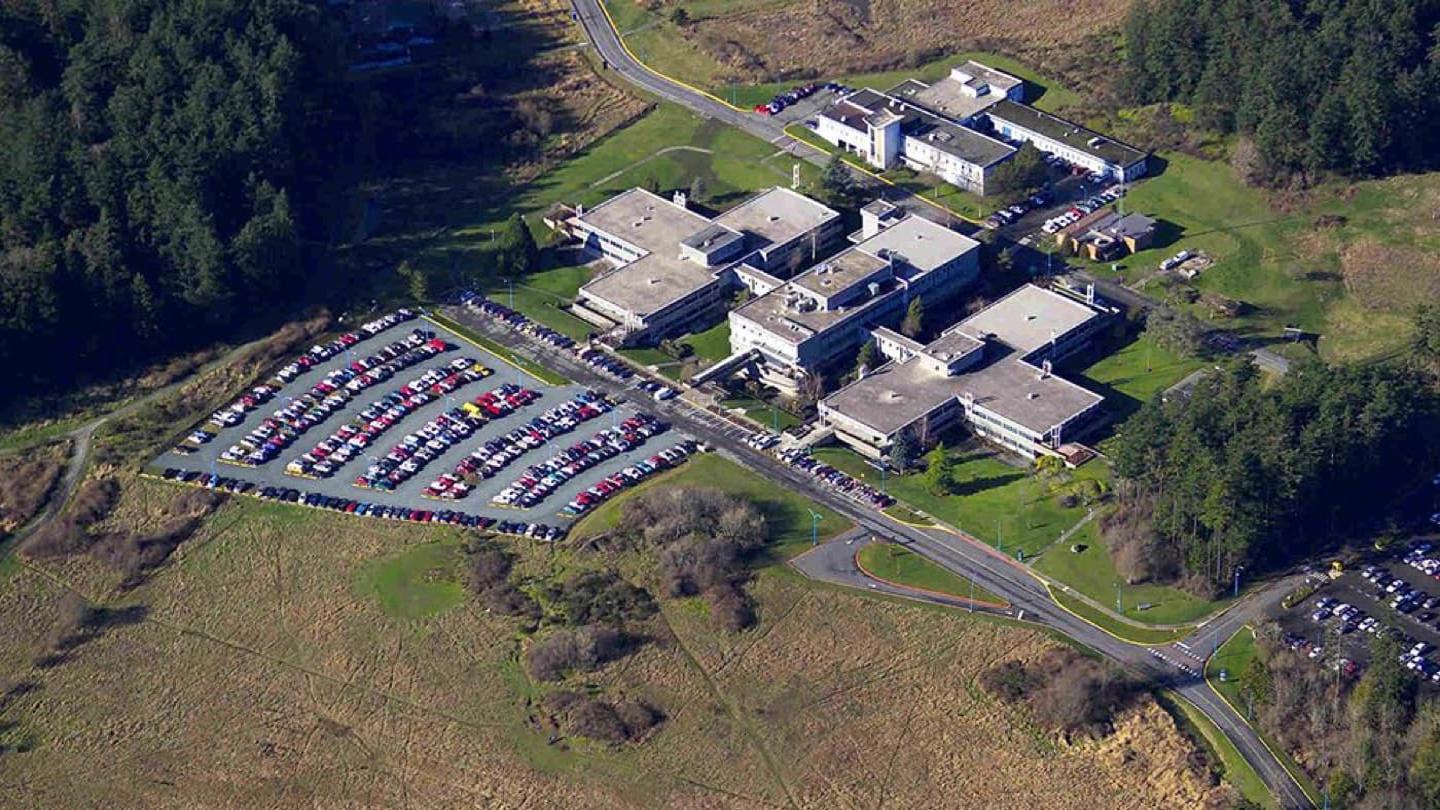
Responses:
[433,410]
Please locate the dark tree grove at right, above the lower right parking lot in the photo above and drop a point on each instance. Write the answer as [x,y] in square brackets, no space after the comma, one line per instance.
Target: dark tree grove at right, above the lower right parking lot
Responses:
[1258,476]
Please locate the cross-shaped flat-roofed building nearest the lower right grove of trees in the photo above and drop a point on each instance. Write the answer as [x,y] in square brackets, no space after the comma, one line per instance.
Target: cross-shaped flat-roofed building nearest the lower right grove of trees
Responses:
[990,373]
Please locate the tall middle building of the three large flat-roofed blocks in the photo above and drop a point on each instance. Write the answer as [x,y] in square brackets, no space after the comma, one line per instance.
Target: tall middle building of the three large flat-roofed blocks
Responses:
[822,316]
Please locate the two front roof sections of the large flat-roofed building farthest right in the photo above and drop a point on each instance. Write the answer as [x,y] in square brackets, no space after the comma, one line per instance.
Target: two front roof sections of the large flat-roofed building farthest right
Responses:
[899,394]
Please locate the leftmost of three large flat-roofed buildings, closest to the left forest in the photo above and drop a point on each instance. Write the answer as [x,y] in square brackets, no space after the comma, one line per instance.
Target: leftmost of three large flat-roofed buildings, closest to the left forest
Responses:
[675,269]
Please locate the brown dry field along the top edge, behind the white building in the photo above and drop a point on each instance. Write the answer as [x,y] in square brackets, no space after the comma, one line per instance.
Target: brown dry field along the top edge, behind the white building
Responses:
[735,47]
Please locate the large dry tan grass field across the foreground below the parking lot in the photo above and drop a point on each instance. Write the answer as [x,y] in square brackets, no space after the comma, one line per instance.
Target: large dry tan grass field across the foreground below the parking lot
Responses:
[260,669]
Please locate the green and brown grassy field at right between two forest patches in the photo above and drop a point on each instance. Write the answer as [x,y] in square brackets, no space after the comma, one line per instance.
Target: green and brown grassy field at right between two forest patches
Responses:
[1350,280]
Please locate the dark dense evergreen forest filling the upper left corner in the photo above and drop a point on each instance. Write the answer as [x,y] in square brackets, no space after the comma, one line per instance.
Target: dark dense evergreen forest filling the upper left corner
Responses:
[165,168]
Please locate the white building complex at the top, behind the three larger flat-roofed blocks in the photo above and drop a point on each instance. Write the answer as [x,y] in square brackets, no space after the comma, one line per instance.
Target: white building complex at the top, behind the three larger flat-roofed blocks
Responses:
[963,128]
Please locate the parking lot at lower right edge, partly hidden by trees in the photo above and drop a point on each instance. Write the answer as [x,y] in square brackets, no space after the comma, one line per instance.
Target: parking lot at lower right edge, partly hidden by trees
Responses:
[1396,593]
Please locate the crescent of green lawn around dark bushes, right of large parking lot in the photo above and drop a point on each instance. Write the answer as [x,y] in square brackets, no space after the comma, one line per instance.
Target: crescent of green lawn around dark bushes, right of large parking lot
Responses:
[787,514]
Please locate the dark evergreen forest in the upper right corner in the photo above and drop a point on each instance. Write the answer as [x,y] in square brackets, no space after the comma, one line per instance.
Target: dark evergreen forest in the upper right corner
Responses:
[1317,87]
